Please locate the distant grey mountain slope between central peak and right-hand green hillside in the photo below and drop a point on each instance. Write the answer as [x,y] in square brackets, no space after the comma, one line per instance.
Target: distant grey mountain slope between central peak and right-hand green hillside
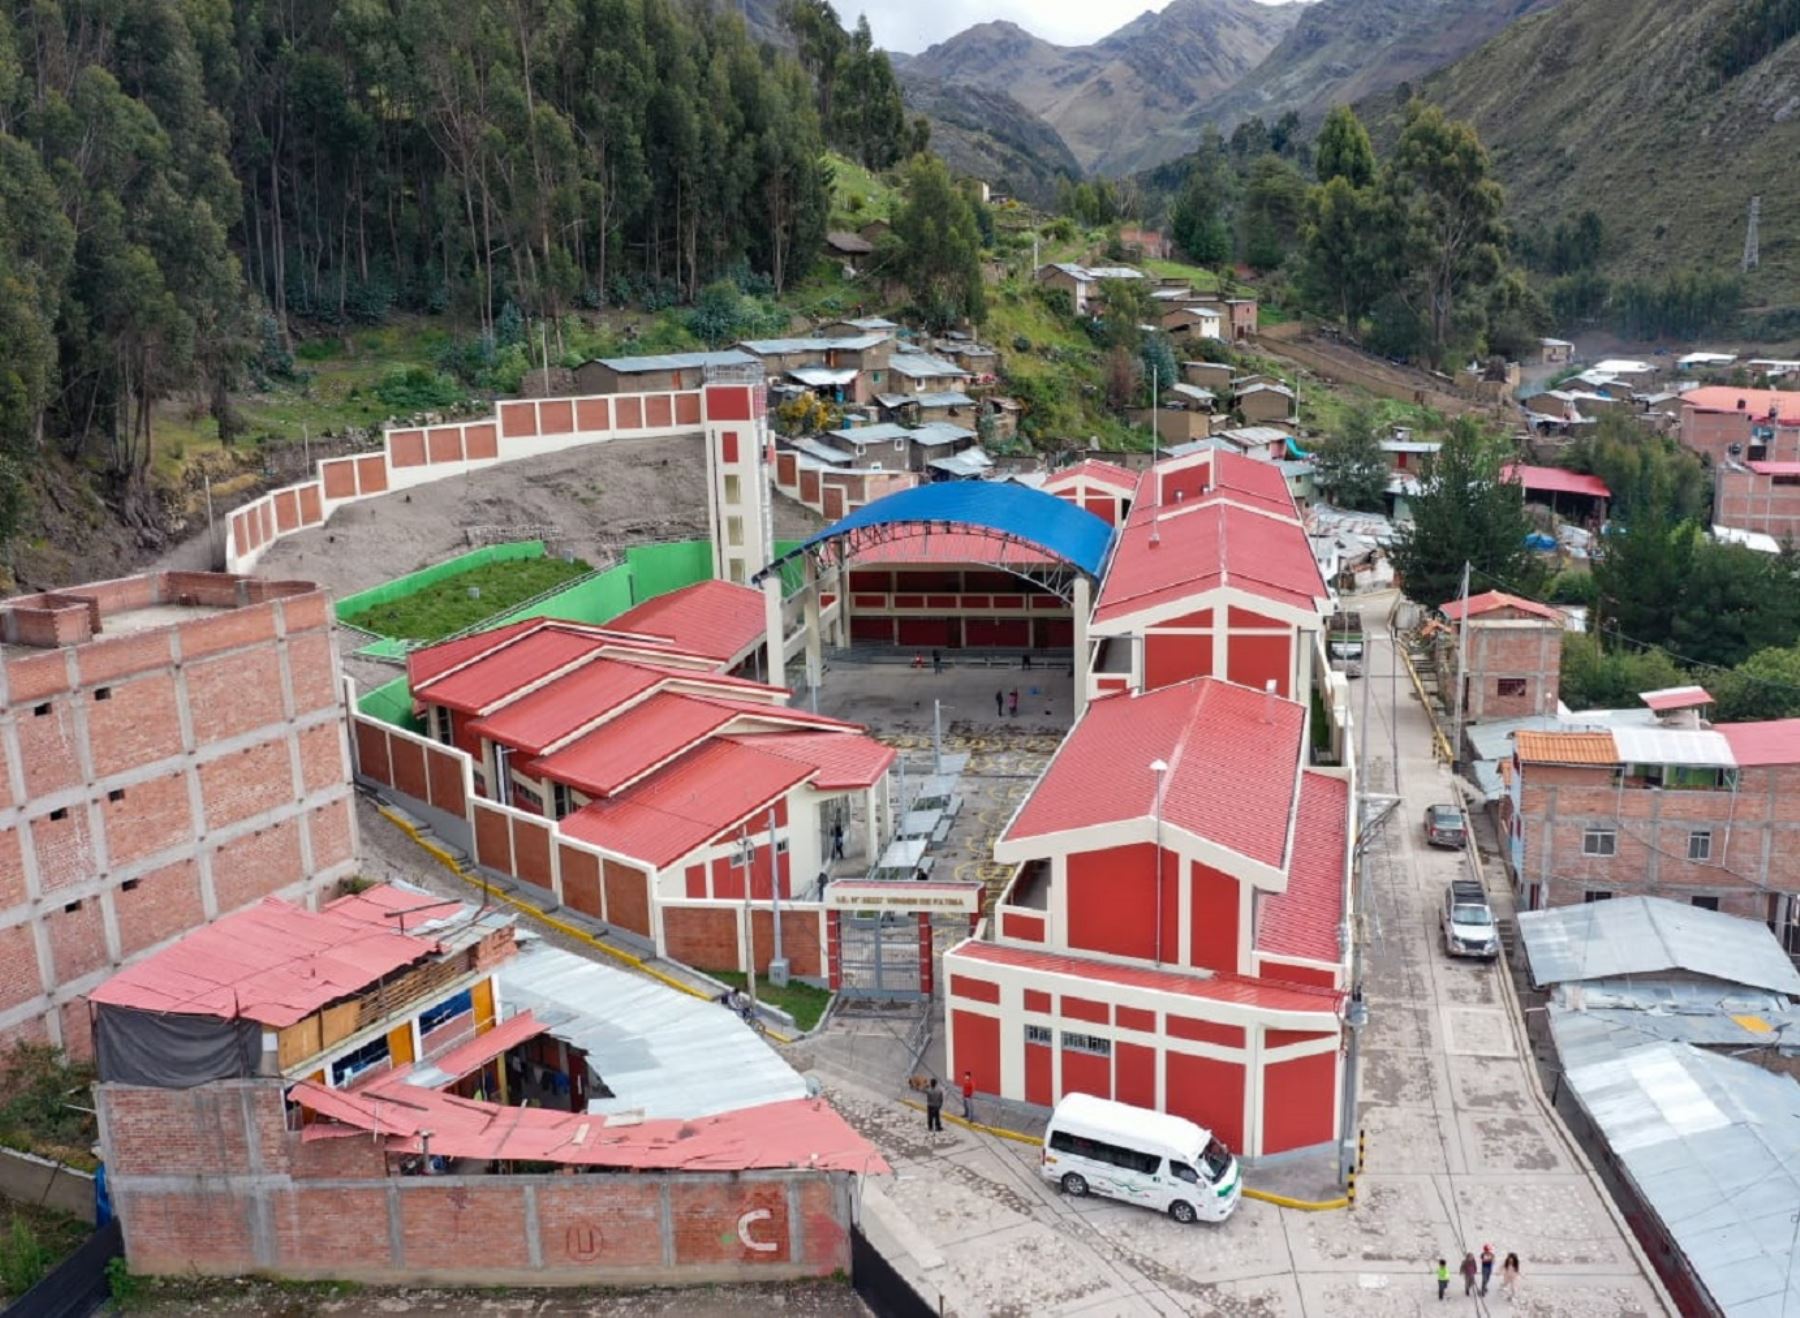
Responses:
[1342,51]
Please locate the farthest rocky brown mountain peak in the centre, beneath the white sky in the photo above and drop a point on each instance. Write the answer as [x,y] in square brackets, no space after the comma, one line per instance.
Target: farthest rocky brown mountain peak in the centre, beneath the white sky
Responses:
[1131,87]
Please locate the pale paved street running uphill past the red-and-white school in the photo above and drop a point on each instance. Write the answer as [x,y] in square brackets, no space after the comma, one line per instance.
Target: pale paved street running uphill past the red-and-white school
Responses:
[1461,1151]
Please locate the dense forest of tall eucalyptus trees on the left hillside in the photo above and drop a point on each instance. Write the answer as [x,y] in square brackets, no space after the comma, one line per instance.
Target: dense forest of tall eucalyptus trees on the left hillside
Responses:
[181,181]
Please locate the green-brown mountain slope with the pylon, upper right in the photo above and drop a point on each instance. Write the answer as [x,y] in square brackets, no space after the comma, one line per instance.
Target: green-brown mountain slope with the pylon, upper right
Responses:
[1619,105]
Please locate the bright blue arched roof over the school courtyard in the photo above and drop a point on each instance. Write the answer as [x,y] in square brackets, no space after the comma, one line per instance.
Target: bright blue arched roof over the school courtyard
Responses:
[1005,509]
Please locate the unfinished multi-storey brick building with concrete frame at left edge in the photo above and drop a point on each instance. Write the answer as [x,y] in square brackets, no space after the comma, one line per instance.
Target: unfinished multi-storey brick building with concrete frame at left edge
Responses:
[174,750]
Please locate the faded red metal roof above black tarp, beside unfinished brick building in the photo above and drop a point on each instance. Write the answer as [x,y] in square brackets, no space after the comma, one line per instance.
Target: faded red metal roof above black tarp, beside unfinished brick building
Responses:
[273,962]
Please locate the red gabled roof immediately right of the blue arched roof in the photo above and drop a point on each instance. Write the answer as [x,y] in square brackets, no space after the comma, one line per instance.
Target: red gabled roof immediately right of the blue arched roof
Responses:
[1203,546]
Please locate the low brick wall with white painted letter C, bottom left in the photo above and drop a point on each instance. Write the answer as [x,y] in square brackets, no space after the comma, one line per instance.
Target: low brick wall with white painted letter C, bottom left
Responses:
[328,1209]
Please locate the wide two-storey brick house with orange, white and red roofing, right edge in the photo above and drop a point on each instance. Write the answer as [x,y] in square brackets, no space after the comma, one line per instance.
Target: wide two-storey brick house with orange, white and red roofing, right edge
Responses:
[1691,811]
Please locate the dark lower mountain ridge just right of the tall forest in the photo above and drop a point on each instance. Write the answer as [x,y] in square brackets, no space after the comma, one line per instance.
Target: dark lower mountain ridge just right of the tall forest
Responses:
[991,136]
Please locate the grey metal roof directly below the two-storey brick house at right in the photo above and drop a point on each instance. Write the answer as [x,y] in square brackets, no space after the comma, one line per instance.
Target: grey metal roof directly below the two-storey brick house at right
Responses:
[1648,935]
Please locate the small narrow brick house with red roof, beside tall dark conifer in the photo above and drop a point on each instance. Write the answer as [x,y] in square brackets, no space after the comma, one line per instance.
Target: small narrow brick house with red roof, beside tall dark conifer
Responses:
[1515,651]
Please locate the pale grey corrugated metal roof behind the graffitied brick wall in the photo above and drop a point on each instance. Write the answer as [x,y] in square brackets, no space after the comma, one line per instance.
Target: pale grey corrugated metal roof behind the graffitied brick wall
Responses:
[658,1051]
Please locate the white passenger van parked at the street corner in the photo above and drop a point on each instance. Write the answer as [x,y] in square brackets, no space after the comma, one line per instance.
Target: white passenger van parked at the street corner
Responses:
[1128,1153]
